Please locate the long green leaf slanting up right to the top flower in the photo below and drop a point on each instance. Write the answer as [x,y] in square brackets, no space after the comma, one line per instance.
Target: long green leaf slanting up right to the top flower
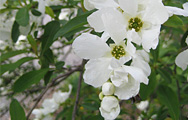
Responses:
[73,24]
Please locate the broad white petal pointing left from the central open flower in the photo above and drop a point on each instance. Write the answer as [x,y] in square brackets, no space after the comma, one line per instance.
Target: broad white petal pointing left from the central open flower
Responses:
[89,46]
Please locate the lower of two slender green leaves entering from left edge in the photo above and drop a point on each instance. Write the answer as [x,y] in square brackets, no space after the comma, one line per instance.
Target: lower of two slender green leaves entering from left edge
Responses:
[9,67]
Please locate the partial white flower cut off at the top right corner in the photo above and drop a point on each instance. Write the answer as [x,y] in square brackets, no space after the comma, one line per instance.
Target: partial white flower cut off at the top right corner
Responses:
[178,11]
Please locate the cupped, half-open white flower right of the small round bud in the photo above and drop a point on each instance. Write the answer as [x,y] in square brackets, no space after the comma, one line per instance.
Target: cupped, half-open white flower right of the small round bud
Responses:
[127,81]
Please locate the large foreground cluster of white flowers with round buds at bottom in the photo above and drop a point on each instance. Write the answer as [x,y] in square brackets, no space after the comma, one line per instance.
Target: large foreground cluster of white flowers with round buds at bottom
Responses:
[117,65]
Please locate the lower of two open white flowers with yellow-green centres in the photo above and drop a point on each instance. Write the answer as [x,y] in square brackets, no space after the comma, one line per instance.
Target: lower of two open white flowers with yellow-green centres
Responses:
[103,58]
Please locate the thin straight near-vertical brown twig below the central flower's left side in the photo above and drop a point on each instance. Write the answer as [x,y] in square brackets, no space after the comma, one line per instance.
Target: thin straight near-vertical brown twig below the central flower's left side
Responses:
[78,91]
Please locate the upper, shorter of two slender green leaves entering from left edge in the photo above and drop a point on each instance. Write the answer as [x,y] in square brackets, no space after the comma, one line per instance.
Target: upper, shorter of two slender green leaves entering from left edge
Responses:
[11,54]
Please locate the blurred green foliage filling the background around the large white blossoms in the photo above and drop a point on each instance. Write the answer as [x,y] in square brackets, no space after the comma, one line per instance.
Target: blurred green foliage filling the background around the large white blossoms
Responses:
[167,91]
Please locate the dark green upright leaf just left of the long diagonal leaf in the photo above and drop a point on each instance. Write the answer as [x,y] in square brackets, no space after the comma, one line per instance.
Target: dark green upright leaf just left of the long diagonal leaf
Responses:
[48,38]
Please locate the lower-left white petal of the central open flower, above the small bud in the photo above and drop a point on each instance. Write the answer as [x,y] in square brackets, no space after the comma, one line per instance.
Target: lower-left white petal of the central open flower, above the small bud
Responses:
[97,72]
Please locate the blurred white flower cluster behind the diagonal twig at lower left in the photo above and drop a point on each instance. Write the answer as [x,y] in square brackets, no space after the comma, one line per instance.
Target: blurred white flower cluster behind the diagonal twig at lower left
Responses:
[51,105]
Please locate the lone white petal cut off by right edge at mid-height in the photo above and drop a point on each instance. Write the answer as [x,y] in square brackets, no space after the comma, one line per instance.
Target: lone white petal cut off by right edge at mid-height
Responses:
[182,59]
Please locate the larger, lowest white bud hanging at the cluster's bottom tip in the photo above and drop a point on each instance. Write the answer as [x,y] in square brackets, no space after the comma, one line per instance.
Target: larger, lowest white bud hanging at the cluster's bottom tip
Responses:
[109,107]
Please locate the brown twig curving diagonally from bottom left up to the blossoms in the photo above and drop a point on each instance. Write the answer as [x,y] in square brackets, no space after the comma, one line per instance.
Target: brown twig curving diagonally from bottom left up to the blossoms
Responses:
[64,76]
